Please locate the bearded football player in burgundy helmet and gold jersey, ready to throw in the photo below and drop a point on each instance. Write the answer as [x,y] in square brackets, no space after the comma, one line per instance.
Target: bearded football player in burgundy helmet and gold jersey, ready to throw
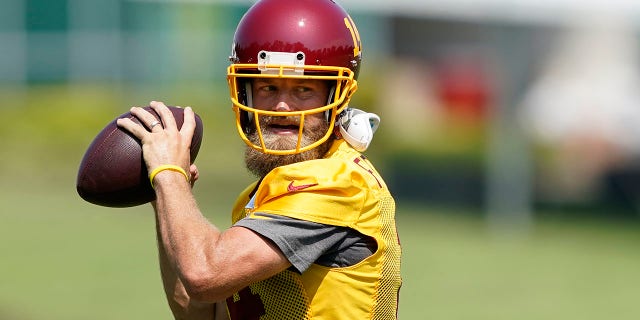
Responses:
[314,237]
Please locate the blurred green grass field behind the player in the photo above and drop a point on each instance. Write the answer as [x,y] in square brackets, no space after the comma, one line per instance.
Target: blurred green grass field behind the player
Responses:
[67,259]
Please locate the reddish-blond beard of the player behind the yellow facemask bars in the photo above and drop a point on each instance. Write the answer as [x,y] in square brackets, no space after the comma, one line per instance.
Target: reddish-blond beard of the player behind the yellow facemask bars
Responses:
[260,163]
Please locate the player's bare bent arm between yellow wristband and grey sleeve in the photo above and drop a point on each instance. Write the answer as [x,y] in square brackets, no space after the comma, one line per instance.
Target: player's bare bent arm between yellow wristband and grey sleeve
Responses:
[209,264]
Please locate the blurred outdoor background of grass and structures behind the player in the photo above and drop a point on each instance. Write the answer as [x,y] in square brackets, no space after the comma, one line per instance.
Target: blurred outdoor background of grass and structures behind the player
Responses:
[509,137]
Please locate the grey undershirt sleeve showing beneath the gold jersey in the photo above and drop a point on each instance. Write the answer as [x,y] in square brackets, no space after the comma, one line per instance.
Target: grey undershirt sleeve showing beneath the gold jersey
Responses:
[304,242]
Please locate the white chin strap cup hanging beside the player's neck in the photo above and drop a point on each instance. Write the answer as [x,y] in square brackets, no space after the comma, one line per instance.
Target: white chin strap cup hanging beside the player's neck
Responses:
[357,127]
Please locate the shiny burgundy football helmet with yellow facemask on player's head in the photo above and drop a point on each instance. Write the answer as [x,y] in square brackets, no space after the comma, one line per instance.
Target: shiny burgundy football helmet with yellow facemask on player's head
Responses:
[299,39]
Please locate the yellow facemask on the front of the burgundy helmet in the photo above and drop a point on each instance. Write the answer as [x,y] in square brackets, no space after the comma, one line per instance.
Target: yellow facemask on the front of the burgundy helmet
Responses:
[250,120]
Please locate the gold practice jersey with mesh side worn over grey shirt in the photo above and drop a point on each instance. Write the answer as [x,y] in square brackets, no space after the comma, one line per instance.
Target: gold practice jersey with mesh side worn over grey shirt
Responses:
[343,189]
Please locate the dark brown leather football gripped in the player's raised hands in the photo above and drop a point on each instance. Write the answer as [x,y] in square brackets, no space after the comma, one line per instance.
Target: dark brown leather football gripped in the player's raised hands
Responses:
[113,173]
